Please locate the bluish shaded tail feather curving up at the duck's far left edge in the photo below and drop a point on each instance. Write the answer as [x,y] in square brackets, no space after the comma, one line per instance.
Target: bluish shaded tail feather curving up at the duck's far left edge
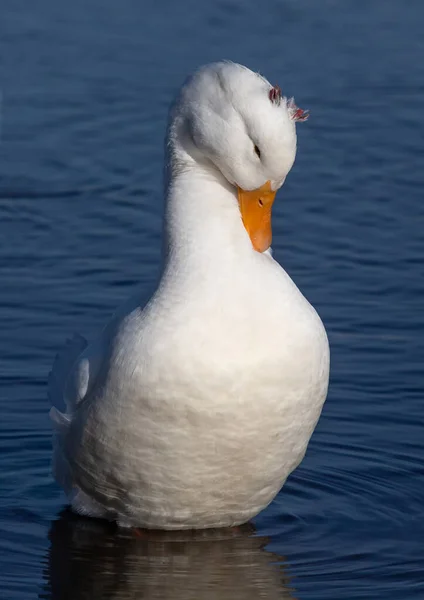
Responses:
[62,366]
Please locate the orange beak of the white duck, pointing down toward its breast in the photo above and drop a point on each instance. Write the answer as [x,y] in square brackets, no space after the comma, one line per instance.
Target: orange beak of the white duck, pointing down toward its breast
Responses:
[255,208]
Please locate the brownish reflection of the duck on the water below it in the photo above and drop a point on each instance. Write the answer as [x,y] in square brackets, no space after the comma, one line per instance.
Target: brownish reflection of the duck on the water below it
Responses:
[93,560]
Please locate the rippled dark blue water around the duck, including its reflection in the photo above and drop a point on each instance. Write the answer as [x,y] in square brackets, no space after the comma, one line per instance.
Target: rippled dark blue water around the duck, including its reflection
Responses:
[85,88]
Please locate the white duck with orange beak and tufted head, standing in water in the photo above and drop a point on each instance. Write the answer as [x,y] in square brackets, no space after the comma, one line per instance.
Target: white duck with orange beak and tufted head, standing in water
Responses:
[190,411]
